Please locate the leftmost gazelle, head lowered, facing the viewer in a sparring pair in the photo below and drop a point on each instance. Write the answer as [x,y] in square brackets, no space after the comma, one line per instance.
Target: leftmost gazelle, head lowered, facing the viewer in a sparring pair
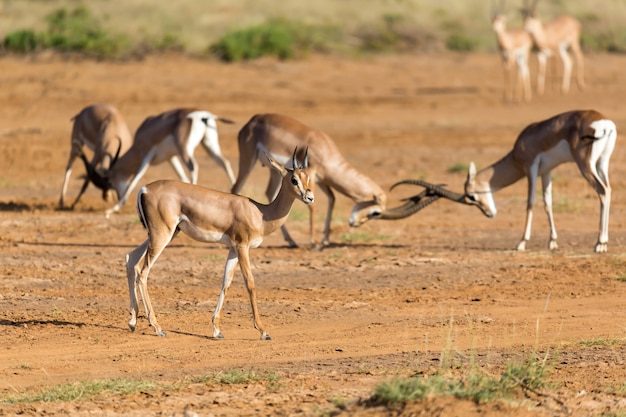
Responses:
[101,128]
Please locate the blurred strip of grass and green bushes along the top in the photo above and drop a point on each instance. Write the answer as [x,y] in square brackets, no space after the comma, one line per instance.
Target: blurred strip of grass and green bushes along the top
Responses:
[245,29]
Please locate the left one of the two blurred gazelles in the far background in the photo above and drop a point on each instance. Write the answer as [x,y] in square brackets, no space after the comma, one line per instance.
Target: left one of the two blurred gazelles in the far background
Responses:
[514,45]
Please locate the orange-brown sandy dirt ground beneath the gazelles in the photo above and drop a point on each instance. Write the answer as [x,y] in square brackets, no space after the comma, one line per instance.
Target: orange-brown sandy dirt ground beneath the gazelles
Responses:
[437,293]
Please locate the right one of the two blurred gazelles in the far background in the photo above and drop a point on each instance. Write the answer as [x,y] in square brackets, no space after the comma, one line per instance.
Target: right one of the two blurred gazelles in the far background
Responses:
[557,36]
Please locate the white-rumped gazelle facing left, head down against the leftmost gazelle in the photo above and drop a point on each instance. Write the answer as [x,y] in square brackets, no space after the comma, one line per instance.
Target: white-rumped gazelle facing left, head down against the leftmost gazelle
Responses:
[172,136]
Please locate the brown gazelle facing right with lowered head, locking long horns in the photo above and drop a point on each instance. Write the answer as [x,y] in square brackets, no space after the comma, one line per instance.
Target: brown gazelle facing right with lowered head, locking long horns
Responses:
[276,135]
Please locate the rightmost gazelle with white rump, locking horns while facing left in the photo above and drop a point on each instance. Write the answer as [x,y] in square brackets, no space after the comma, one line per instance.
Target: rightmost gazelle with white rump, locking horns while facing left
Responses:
[586,137]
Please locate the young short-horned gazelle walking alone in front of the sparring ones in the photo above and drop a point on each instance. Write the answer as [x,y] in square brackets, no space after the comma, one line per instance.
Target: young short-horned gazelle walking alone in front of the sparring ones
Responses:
[167,207]
